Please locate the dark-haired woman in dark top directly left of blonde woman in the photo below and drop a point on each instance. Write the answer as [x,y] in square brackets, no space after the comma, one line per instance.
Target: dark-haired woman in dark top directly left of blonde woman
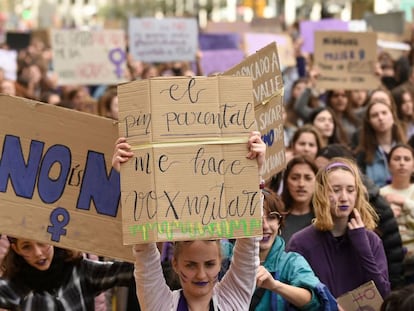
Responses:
[298,188]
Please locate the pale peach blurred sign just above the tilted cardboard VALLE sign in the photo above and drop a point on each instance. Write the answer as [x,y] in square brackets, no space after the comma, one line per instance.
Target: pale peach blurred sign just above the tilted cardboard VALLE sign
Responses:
[255,41]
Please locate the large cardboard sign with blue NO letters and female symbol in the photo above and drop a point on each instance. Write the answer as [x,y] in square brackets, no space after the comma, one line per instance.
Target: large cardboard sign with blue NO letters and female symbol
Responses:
[56,181]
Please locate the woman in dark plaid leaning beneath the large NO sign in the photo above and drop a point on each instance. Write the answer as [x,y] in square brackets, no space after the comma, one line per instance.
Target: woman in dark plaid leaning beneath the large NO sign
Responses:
[39,276]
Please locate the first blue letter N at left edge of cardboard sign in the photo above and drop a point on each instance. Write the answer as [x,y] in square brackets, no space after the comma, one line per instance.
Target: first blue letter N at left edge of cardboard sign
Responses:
[12,165]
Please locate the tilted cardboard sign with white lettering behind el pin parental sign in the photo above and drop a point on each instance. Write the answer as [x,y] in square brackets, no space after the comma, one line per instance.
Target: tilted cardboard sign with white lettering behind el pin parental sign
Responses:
[264,68]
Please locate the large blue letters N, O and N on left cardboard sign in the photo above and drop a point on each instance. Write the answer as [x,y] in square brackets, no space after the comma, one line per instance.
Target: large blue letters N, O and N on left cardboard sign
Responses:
[96,186]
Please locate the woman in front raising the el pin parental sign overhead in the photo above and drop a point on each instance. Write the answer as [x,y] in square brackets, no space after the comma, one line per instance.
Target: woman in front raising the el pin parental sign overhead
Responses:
[197,263]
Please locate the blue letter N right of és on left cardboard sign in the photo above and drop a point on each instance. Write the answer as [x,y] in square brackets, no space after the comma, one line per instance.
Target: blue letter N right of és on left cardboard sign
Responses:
[97,187]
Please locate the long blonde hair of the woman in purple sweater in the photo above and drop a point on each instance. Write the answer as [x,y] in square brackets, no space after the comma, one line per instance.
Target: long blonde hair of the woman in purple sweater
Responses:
[321,203]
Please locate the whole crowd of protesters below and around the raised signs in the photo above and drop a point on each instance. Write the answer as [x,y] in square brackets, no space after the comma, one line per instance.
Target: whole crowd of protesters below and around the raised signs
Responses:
[339,215]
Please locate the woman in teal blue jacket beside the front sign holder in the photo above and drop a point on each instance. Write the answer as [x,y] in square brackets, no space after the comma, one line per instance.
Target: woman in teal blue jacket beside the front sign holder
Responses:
[285,281]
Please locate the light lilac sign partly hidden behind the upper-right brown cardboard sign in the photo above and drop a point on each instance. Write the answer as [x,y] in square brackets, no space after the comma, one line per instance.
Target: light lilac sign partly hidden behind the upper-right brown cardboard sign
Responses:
[308,29]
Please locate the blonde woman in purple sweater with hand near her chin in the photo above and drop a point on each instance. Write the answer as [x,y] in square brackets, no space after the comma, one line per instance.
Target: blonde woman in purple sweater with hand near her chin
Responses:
[340,245]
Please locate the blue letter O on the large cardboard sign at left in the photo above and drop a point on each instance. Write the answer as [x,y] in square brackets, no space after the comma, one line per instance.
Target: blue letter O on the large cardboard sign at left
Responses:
[51,190]
